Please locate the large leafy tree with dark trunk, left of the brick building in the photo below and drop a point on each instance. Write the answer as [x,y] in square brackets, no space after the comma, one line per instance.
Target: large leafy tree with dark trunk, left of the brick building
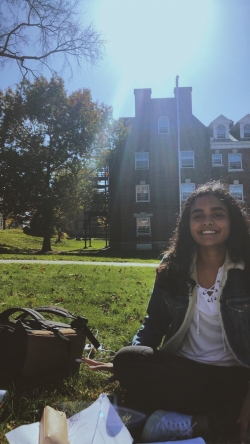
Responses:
[51,133]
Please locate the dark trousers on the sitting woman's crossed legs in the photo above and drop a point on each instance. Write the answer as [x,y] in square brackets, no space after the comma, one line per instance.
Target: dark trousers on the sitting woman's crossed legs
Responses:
[157,380]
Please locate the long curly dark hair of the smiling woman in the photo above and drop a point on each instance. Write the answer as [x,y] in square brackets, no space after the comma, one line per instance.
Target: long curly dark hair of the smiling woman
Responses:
[182,247]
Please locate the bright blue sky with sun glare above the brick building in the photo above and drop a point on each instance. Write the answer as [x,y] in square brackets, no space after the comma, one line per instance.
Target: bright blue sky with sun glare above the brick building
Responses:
[149,42]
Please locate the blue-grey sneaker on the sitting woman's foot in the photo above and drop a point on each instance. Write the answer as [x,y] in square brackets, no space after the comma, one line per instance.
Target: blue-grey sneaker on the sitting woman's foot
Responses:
[167,426]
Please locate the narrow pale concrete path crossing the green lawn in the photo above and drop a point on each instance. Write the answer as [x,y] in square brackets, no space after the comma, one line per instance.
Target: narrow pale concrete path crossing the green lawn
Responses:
[116,264]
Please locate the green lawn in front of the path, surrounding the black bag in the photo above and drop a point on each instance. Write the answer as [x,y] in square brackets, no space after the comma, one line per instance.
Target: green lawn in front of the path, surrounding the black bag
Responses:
[114,300]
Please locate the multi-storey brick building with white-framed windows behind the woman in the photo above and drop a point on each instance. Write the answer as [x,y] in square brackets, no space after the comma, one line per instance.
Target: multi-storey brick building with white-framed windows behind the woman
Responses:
[144,174]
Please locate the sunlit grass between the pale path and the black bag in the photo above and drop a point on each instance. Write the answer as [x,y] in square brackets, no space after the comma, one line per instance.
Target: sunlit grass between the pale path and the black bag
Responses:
[108,296]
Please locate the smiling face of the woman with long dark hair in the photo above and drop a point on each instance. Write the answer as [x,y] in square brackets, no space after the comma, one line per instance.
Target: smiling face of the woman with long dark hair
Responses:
[209,221]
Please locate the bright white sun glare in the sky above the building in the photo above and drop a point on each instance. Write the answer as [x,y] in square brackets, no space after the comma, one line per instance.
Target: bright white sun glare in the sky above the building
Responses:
[152,41]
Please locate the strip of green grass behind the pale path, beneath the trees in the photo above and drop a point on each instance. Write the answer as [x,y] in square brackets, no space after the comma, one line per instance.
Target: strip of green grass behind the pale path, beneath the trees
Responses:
[14,244]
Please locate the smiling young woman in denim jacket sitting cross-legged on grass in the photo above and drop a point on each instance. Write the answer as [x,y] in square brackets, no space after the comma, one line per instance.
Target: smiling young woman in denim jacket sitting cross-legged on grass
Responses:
[197,382]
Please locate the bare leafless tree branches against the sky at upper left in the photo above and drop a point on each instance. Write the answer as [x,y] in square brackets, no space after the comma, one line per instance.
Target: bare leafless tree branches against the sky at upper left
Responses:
[33,31]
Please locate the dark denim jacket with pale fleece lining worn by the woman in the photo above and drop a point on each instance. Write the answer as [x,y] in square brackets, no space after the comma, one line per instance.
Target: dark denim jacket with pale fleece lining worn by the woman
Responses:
[169,317]
